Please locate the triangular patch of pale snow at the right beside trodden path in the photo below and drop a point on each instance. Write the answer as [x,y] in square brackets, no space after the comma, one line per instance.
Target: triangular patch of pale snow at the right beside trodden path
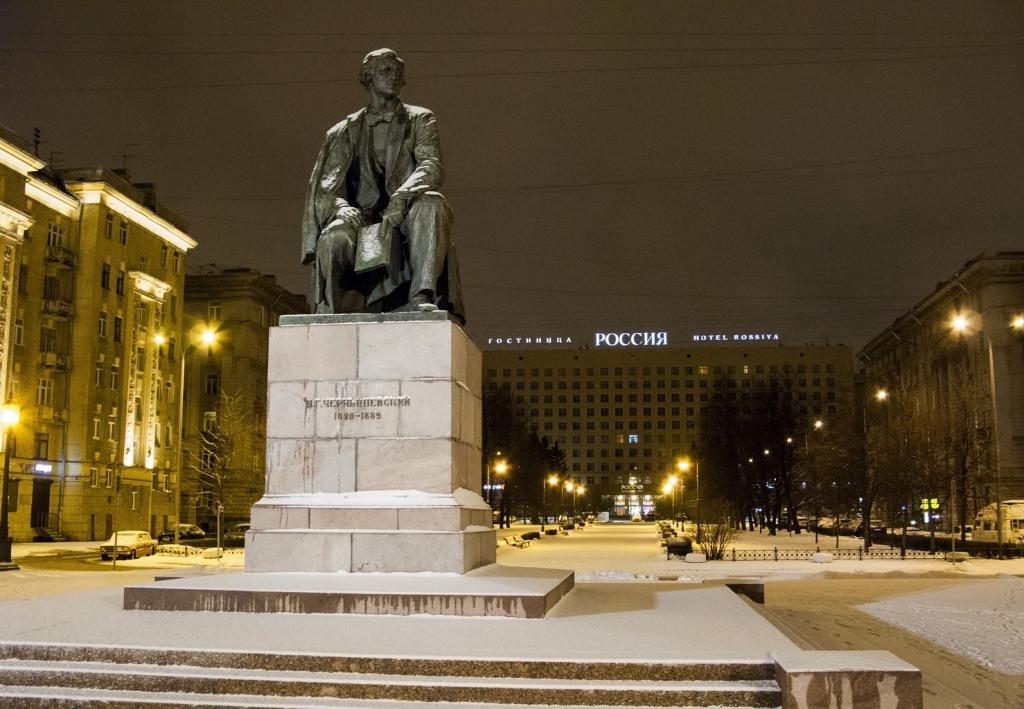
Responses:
[984,621]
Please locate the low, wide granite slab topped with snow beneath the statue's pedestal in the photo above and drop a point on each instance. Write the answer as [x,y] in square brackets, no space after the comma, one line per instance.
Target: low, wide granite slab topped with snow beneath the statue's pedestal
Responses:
[492,591]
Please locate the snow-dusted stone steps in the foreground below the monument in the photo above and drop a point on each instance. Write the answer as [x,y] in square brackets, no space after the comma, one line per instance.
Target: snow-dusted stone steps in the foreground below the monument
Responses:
[70,676]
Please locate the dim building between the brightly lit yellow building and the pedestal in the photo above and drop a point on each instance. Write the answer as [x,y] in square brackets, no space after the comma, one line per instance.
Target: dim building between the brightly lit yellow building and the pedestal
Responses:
[229,380]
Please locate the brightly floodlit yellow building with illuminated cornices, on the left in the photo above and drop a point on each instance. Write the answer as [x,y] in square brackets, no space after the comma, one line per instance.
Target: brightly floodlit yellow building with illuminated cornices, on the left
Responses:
[100,271]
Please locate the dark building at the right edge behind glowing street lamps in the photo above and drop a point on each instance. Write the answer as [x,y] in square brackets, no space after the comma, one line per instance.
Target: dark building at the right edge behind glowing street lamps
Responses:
[959,355]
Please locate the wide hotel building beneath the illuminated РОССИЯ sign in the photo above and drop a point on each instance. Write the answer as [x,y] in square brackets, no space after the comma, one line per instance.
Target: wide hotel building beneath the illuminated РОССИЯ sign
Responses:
[624,415]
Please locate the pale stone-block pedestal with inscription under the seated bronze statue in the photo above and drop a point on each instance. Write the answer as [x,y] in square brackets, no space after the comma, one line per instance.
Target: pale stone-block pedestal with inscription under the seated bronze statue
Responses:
[374,438]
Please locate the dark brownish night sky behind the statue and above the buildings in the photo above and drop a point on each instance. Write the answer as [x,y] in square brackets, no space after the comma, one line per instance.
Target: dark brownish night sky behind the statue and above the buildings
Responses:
[807,169]
